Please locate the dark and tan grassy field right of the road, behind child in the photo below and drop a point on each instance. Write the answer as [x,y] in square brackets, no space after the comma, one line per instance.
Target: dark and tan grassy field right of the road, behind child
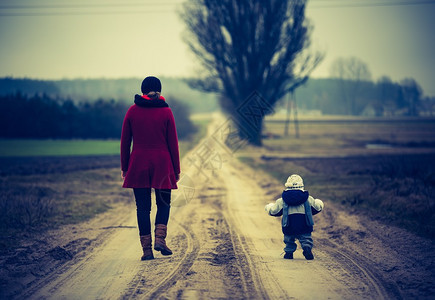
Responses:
[396,185]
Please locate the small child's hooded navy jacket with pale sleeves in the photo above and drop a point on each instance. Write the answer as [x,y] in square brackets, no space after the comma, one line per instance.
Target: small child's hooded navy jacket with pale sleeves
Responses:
[300,207]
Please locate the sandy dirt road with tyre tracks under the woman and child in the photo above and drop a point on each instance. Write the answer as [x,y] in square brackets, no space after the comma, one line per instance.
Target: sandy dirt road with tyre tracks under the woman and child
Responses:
[226,247]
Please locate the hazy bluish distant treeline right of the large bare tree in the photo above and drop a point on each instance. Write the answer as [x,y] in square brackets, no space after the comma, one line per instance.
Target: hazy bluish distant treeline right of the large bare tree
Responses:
[381,98]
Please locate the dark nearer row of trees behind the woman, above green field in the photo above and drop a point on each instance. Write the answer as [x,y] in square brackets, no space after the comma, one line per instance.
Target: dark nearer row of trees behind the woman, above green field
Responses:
[42,116]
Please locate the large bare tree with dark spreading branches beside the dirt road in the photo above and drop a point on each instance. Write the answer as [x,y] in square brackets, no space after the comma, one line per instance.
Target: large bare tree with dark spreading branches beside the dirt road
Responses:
[250,47]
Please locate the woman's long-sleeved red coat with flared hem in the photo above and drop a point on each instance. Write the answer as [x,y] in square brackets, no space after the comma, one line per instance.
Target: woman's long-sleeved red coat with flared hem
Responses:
[154,160]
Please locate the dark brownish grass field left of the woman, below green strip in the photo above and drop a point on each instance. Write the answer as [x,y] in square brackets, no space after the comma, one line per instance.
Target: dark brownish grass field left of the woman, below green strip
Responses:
[36,202]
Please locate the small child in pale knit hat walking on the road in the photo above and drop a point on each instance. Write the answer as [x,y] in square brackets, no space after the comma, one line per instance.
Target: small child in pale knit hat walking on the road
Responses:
[297,208]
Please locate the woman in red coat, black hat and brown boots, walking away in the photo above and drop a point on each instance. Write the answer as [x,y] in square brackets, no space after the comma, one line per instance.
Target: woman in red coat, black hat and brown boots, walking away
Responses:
[153,162]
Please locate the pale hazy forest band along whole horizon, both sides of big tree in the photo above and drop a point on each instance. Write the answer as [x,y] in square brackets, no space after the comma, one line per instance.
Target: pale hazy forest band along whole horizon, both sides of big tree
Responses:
[327,96]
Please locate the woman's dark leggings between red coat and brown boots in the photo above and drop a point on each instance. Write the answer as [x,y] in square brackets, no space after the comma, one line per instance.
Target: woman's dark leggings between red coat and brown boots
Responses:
[143,207]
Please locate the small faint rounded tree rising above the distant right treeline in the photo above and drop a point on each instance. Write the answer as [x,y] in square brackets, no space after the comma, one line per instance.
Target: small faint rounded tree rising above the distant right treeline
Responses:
[350,72]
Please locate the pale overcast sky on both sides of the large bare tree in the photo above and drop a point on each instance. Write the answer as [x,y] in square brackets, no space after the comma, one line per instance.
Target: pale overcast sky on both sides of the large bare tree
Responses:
[54,39]
